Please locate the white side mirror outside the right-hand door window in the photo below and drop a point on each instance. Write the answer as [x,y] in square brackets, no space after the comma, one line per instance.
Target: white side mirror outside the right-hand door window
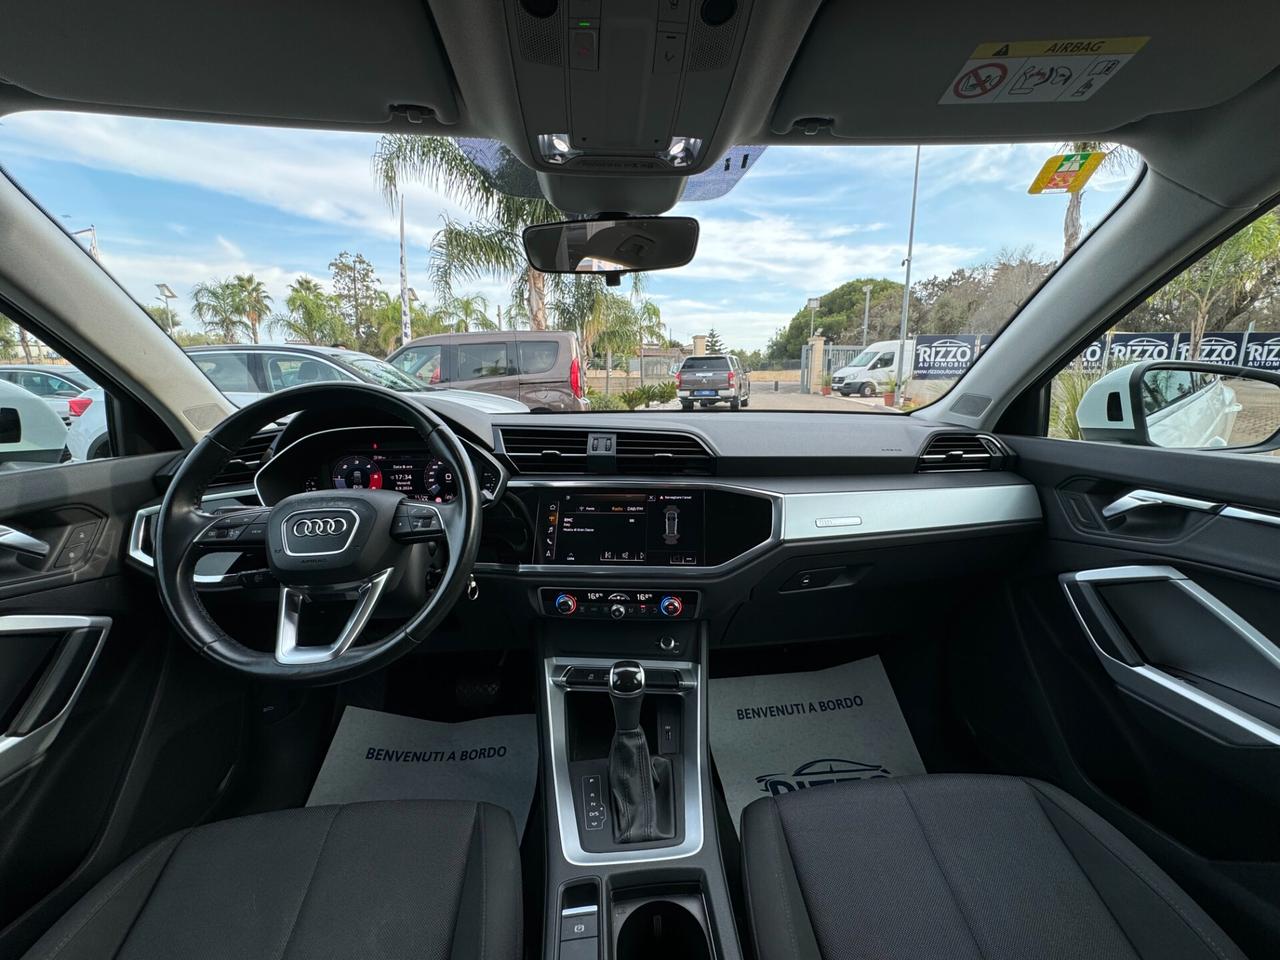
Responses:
[1183,406]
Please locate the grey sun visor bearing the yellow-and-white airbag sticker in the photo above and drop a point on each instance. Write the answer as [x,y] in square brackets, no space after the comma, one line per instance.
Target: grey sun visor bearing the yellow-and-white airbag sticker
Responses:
[998,72]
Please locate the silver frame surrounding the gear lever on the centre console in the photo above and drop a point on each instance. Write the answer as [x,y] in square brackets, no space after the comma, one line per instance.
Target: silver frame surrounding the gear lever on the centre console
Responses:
[694,694]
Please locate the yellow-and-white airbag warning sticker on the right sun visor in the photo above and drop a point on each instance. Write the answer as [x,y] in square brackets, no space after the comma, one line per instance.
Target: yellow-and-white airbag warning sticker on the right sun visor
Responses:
[1041,71]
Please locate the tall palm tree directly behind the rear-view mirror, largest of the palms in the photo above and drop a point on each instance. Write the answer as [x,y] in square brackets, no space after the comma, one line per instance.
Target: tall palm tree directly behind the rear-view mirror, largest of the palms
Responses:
[491,246]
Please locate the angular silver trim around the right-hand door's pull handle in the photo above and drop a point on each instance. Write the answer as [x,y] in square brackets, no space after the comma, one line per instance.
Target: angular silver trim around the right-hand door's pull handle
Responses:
[1167,692]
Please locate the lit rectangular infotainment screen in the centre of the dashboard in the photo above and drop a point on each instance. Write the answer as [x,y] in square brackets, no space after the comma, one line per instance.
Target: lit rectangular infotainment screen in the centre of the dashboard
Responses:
[651,529]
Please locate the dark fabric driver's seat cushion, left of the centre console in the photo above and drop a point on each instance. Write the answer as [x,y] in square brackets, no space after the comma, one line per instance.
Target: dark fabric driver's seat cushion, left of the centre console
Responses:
[409,879]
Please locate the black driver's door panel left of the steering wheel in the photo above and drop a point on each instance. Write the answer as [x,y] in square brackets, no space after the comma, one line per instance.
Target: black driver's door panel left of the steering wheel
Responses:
[112,732]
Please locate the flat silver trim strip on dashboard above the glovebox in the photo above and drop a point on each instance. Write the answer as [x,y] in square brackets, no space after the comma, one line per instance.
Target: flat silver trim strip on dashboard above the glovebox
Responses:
[808,516]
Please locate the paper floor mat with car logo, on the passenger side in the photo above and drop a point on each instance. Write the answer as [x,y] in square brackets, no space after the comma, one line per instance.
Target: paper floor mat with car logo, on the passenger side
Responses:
[780,733]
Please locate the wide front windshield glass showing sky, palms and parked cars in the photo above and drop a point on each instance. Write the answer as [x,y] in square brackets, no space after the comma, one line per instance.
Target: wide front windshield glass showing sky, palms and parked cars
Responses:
[808,262]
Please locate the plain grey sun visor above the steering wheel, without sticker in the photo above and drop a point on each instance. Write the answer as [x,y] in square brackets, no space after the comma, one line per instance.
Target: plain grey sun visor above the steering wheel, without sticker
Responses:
[321,61]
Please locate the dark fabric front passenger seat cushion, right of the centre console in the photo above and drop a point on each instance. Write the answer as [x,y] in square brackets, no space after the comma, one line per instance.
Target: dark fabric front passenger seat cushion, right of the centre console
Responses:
[957,868]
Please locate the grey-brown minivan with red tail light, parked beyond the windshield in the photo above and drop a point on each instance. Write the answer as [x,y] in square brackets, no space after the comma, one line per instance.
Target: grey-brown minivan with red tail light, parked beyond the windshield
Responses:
[542,369]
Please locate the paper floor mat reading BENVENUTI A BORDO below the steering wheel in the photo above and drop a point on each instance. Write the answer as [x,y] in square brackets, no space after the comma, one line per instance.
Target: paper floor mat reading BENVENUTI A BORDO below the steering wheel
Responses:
[380,756]
